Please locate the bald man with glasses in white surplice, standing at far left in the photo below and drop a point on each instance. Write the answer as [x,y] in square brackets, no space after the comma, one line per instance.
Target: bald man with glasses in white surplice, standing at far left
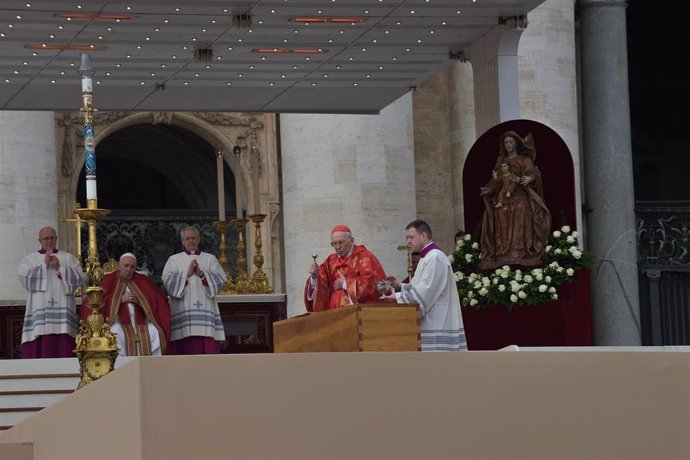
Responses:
[50,278]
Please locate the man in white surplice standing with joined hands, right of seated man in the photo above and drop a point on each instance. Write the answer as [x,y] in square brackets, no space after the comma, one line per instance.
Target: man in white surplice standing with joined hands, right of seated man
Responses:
[192,279]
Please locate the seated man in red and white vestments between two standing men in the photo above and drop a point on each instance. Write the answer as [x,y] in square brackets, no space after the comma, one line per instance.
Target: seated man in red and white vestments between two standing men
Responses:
[136,309]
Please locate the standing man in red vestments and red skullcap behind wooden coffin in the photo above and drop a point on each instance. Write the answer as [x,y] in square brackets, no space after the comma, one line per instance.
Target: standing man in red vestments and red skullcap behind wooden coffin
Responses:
[348,276]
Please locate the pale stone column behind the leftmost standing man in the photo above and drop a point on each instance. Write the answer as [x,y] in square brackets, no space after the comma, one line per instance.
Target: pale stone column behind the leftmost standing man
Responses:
[28,191]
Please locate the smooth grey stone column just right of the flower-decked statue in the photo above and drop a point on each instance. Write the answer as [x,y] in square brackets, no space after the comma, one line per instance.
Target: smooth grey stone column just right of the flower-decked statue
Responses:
[608,172]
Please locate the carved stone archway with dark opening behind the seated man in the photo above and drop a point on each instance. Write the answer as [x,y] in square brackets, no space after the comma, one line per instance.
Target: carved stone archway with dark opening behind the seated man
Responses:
[177,152]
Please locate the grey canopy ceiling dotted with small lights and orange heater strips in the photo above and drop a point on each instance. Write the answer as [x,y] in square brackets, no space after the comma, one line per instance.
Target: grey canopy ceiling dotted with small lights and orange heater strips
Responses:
[367,53]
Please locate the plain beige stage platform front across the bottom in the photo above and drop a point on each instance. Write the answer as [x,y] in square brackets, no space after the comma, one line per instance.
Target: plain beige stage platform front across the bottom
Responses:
[405,405]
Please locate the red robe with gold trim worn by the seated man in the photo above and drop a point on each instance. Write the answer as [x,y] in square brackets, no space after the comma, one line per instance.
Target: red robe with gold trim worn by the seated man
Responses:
[153,306]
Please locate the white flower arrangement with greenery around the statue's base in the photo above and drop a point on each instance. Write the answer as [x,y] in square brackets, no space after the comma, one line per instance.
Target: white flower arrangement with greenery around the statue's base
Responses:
[562,257]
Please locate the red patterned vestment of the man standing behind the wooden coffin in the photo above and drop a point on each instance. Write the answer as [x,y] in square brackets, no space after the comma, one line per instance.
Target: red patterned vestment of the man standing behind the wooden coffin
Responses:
[361,271]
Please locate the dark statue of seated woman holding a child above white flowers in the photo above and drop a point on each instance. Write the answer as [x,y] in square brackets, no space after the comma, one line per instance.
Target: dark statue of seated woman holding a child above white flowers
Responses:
[516,223]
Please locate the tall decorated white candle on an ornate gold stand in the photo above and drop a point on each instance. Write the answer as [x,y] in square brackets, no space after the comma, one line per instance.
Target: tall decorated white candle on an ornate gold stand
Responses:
[96,346]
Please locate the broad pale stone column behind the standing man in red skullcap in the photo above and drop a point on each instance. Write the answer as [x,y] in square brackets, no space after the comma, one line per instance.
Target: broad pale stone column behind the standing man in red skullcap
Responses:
[356,170]
